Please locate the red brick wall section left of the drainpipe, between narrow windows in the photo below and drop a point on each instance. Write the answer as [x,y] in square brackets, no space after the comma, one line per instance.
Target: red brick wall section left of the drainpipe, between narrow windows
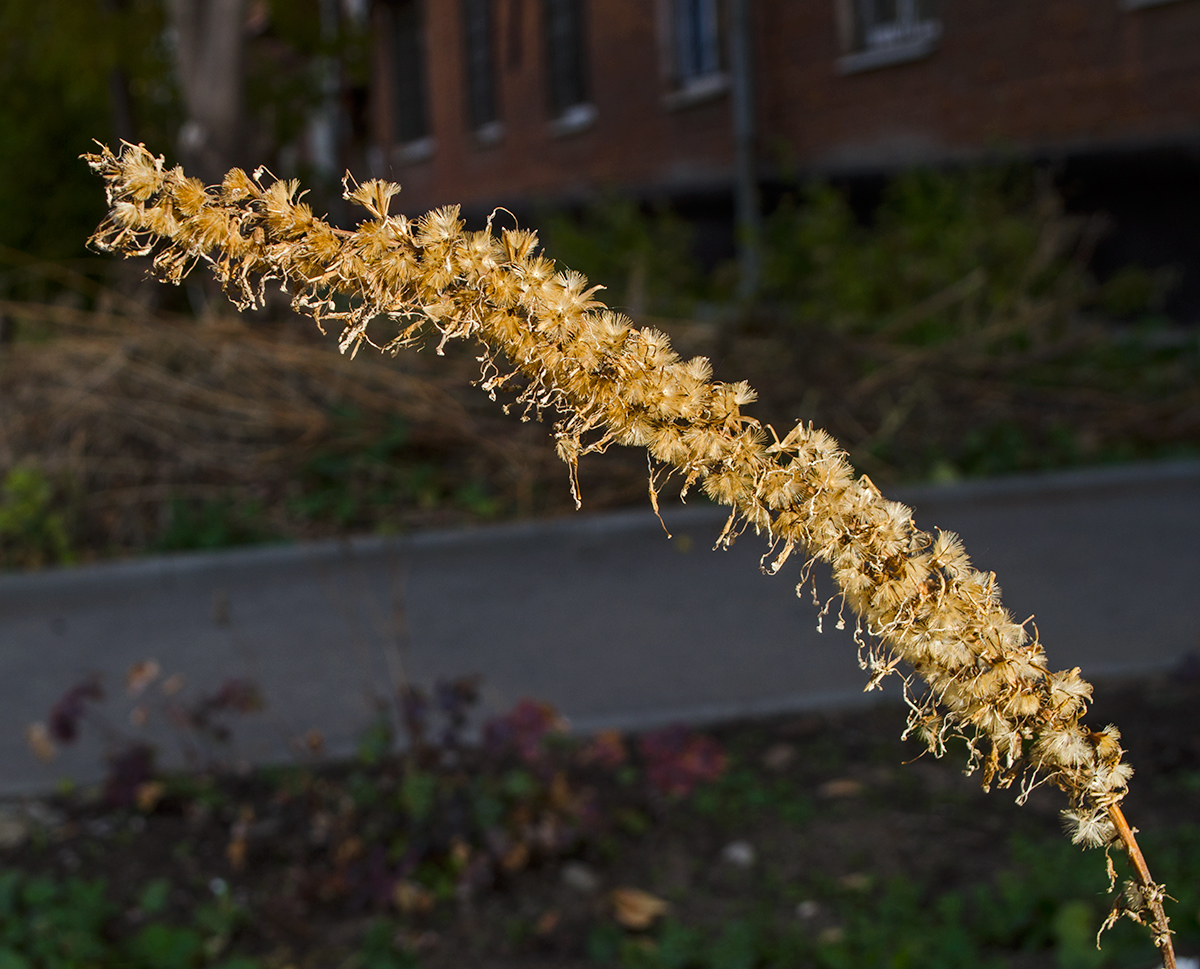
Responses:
[633,142]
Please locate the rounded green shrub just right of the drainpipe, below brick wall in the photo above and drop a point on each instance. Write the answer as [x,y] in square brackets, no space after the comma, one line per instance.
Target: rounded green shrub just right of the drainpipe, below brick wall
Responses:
[982,239]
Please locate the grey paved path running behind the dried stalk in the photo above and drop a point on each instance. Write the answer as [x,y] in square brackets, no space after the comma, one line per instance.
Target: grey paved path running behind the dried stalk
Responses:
[601,615]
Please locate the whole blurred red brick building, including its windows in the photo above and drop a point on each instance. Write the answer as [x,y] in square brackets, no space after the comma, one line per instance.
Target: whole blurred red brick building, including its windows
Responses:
[506,103]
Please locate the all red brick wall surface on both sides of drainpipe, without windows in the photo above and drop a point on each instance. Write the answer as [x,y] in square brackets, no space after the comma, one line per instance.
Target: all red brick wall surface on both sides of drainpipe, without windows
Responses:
[1031,76]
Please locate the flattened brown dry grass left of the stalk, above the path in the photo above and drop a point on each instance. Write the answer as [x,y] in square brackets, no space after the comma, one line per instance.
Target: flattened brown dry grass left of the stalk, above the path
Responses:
[129,411]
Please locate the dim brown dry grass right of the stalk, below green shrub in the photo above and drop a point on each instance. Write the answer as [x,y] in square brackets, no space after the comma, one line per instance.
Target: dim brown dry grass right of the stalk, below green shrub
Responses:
[1090,393]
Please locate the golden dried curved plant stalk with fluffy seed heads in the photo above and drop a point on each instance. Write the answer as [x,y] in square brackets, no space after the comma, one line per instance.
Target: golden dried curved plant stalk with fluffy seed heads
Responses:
[916,597]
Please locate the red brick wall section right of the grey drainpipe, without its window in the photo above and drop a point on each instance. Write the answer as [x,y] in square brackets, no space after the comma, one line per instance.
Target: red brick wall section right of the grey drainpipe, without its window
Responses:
[1037,76]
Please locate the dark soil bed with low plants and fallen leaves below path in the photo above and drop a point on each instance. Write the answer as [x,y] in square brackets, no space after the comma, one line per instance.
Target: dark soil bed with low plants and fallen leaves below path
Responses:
[801,841]
